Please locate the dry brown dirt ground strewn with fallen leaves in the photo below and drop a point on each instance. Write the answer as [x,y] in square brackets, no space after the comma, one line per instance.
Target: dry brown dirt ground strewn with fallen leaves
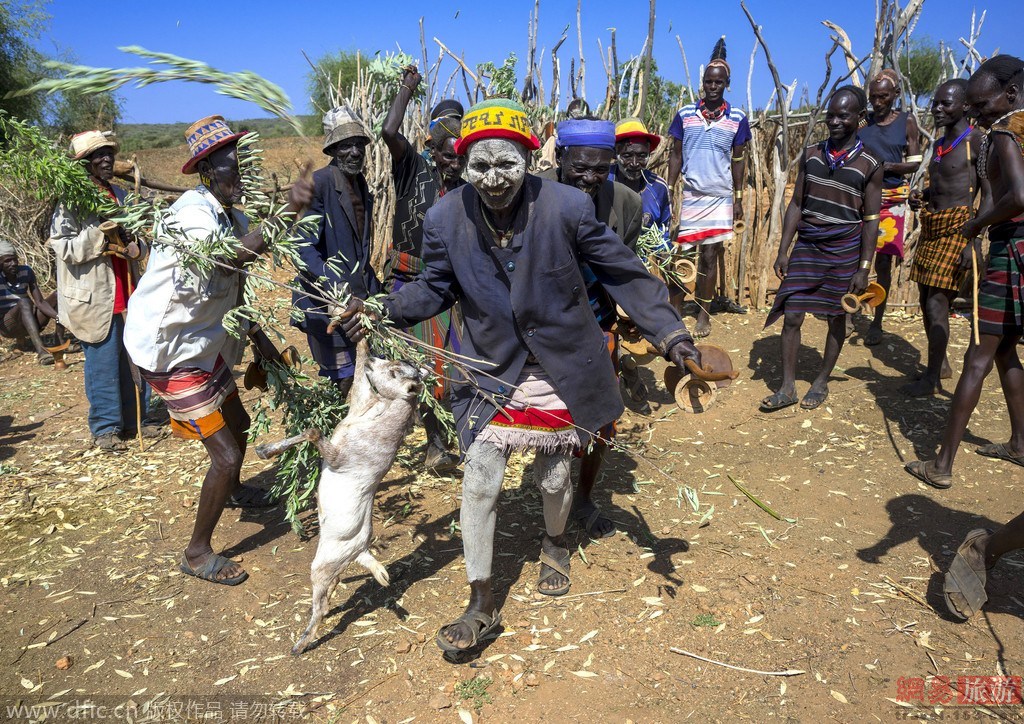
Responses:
[848,593]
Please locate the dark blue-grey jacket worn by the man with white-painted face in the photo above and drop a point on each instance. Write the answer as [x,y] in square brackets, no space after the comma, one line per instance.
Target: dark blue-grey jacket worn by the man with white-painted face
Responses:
[531,299]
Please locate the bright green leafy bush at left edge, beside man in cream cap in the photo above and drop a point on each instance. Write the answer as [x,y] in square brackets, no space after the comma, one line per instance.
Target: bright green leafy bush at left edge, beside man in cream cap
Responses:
[46,171]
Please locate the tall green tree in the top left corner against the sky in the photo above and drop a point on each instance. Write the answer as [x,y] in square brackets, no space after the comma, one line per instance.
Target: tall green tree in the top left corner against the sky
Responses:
[21,65]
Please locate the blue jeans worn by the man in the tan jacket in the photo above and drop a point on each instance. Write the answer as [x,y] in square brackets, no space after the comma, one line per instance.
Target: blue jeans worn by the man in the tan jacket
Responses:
[109,386]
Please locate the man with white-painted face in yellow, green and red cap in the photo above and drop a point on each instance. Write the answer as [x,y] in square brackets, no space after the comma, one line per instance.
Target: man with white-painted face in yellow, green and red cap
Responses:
[509,247]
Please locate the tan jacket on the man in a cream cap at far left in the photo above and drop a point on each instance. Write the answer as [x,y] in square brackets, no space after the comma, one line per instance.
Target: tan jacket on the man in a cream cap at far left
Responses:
[86,276]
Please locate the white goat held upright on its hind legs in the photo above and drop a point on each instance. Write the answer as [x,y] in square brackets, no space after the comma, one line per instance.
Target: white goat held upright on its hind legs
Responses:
[356,459]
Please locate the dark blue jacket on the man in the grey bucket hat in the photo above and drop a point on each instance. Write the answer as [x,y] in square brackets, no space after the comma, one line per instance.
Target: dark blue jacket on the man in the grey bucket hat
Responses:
[336,242]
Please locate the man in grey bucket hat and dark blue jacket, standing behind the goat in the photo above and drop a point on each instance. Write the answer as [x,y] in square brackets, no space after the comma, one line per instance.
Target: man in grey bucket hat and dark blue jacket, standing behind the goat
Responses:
[339,252]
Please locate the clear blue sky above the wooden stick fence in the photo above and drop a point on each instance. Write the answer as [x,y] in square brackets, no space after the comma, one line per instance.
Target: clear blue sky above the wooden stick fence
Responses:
[270,37]
